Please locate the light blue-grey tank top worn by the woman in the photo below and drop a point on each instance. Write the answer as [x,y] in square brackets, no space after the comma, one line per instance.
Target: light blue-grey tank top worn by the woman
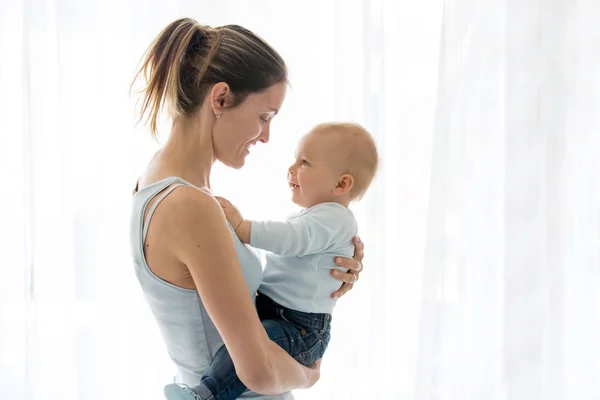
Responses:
[190,336]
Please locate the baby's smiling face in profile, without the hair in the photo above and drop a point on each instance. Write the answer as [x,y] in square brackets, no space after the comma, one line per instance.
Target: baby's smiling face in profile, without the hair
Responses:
[315,173]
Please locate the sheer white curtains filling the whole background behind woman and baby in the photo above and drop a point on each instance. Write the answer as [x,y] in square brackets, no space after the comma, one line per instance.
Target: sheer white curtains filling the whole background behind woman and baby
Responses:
[482,275]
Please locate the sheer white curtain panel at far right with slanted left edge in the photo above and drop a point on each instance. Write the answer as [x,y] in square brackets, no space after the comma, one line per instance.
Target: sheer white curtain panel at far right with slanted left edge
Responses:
[511,299]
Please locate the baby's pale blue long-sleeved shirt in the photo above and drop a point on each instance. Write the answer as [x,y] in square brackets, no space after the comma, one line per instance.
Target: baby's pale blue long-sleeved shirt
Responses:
[302,249]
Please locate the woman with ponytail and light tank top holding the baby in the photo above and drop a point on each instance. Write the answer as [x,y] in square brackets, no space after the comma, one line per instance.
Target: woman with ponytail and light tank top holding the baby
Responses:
[222,86]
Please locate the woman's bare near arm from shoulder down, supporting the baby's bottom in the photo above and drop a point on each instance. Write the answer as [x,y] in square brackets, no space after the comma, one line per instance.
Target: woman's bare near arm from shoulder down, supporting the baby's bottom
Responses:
[198,233]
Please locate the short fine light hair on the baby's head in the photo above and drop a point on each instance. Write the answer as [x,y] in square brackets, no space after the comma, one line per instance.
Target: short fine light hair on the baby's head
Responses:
[357,148]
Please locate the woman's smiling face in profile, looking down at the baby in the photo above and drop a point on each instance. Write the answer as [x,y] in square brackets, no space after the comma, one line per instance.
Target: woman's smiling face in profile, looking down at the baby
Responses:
[241,127]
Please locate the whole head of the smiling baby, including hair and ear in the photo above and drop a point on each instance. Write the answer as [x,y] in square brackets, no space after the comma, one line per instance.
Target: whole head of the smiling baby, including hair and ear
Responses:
[335,162]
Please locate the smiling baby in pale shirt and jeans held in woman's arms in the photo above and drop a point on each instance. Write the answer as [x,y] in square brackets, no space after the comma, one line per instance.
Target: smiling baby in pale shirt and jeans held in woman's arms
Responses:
[335,164]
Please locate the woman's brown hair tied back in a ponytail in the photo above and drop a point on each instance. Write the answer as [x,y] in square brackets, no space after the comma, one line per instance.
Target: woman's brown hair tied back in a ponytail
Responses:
[187,58]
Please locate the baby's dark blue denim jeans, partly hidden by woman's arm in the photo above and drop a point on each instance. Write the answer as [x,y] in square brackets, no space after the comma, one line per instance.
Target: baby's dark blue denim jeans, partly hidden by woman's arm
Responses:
[304,336]
